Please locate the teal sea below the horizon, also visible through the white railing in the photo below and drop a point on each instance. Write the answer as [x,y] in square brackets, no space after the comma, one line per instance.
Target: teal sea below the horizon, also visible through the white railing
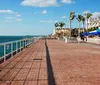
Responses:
[4,39]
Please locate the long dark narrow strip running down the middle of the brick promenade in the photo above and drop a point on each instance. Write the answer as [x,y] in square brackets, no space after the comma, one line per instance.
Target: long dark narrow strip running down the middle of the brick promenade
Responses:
[51,79]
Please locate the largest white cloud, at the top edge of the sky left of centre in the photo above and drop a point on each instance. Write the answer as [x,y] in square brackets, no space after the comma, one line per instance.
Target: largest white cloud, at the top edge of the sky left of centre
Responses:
[39,3]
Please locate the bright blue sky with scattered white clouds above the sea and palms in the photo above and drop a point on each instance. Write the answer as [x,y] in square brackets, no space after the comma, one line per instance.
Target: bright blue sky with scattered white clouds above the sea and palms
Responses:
[37,17]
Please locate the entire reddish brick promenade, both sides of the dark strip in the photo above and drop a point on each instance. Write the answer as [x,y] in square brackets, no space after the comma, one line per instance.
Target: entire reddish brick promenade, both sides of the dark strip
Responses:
[52,62]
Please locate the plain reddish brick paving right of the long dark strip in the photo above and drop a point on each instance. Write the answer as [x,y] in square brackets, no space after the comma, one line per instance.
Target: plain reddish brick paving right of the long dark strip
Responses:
[75,64]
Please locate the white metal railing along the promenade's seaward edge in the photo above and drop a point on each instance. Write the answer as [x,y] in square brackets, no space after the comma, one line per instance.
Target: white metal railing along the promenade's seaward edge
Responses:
[18,45]
